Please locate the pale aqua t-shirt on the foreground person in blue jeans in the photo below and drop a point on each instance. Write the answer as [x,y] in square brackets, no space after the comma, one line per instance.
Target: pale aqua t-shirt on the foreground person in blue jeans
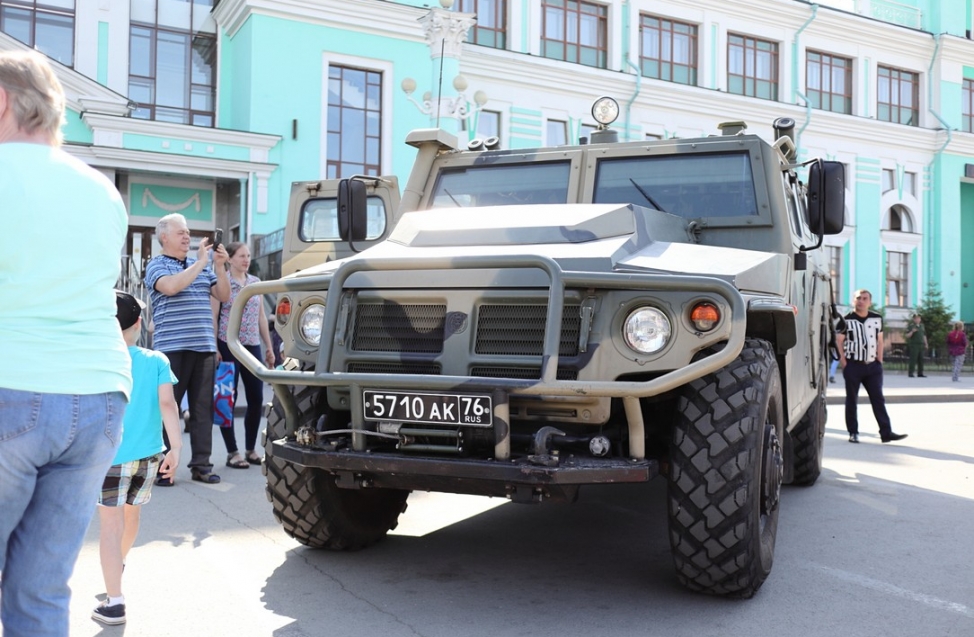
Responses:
[64,227]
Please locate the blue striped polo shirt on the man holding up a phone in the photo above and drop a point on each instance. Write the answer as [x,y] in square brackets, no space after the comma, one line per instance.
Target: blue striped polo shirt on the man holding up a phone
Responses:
[183,321]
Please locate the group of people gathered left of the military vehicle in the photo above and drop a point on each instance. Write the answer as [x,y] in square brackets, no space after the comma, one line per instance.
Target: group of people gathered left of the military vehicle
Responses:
[90,419]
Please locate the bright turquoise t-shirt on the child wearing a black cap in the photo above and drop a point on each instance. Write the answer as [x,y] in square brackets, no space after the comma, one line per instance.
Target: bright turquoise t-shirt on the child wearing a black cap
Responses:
[142,425]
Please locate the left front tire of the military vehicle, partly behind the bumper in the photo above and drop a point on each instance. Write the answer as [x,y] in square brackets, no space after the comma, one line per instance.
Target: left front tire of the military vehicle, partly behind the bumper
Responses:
[311,507]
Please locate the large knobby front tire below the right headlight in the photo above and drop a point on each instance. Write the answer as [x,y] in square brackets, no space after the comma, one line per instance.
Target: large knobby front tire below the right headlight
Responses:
[725,475]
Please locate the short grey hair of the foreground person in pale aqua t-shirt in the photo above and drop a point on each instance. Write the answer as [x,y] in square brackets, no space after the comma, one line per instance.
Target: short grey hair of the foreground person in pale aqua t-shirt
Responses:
[33,91]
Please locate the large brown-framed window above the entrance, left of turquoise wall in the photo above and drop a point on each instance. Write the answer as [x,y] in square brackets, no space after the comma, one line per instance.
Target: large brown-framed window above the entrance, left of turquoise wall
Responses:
[172,62]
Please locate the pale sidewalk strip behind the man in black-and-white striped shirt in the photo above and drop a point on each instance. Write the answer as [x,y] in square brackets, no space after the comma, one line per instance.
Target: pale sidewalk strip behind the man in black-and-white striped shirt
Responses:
[937,387]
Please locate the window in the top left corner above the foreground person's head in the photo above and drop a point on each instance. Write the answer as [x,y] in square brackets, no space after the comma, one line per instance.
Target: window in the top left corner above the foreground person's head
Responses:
[46,26]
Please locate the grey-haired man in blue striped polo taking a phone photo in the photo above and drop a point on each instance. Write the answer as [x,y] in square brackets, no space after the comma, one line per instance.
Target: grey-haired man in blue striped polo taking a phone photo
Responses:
[180,288]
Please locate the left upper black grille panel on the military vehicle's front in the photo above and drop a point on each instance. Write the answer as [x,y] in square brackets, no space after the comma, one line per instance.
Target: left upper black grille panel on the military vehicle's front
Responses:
[391,327]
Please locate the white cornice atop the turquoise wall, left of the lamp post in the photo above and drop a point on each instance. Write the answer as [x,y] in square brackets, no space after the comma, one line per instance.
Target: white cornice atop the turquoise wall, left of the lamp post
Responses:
[372,16]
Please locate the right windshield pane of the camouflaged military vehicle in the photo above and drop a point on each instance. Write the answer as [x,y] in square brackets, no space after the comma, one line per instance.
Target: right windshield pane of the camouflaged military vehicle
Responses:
[691,186]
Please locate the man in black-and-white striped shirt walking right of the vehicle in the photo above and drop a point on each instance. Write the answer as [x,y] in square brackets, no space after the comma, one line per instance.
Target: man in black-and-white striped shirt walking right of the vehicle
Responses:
[861,356]
